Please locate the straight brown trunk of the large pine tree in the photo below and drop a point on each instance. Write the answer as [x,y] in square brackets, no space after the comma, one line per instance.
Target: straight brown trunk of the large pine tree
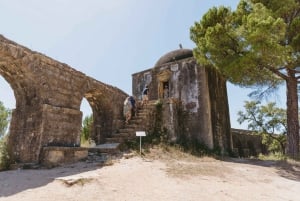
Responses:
[292,116]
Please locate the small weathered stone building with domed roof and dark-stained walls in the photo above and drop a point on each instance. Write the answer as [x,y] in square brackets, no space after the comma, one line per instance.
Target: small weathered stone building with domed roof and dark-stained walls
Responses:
[194,98]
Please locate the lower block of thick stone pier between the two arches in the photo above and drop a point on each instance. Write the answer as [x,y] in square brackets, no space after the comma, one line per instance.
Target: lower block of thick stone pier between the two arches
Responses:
[31,130]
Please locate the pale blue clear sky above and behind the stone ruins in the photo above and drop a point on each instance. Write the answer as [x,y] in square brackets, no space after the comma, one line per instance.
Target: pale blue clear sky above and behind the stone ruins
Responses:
[109,40]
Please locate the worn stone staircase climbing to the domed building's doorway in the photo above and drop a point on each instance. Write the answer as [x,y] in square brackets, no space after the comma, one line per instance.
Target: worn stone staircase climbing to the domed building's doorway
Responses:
[128,132]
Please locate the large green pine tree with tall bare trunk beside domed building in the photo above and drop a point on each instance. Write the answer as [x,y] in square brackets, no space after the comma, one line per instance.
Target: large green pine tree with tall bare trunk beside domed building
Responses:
[257,45]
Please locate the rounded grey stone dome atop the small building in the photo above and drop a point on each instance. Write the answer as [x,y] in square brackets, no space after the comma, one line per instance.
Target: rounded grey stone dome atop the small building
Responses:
[174,55]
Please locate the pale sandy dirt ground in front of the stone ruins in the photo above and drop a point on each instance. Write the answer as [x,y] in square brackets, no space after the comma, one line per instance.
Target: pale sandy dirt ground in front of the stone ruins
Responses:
[160,175]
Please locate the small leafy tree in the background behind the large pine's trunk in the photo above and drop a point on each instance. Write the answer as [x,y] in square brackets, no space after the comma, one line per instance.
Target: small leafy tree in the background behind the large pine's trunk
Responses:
[267,120]
